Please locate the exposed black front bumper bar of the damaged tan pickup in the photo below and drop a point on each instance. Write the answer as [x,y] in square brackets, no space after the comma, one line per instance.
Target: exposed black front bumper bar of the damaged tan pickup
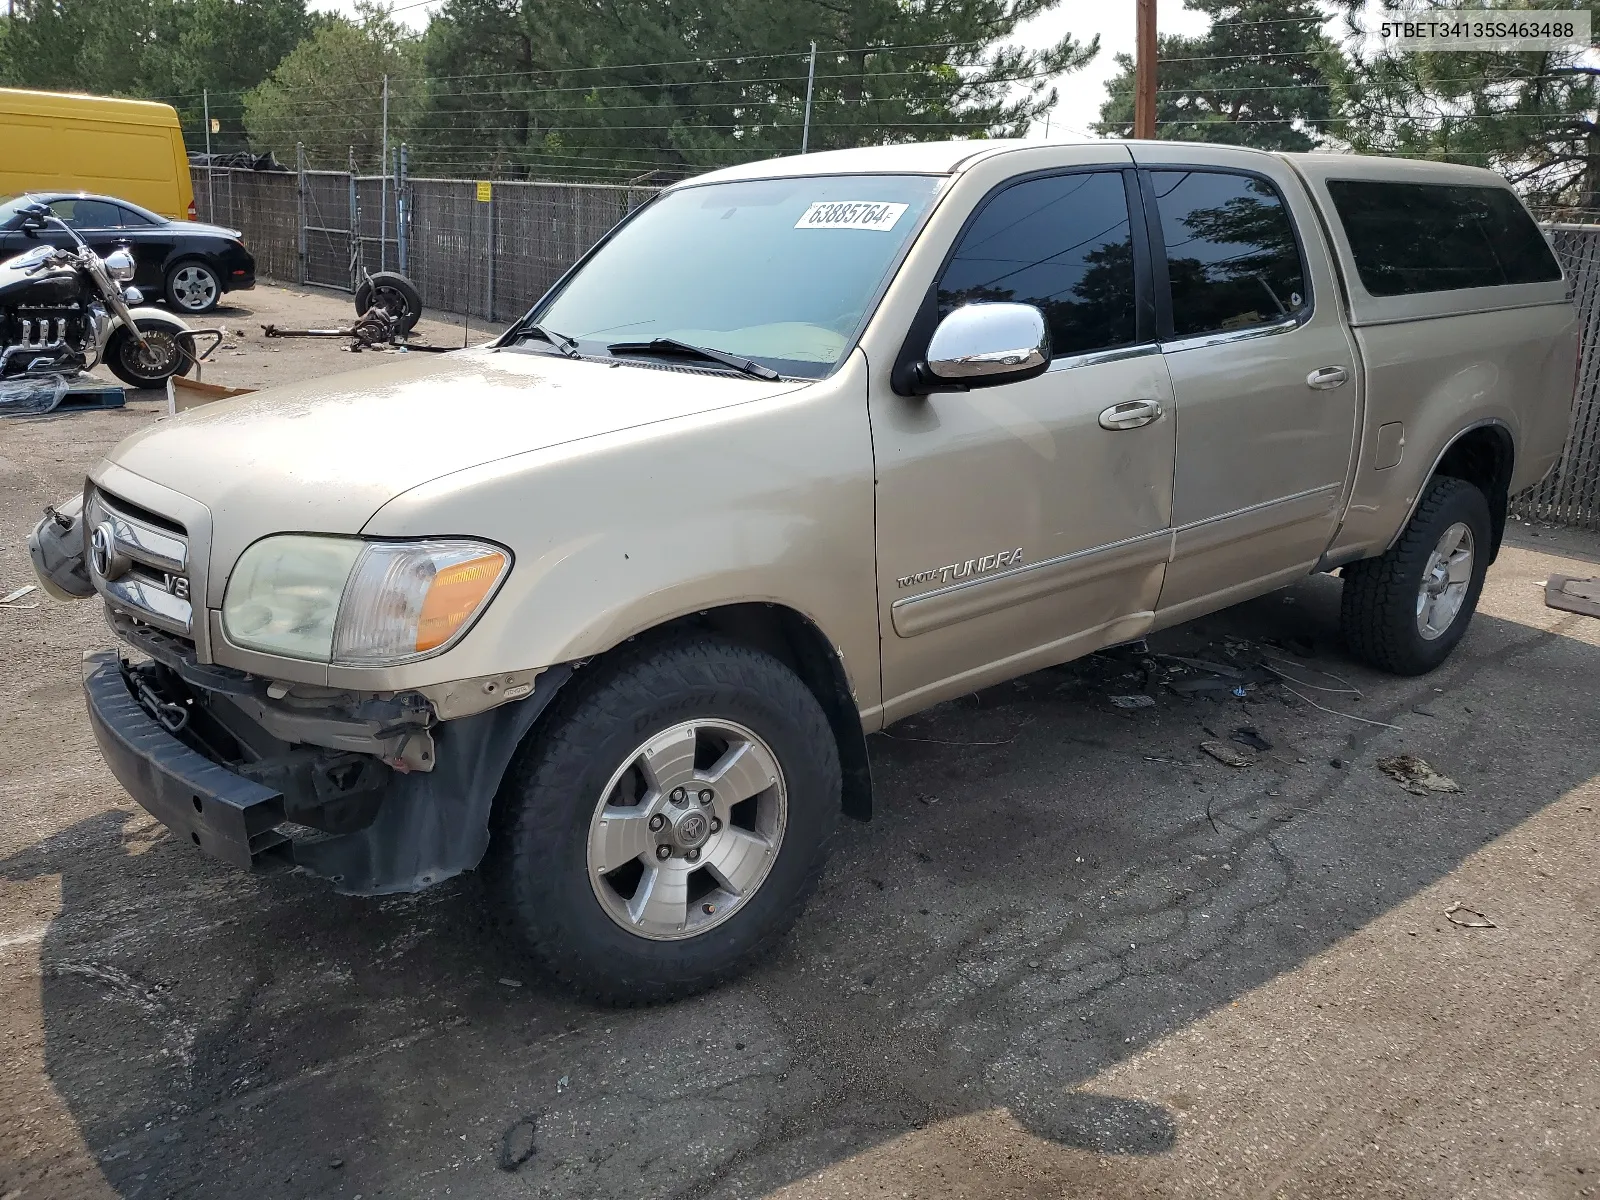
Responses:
[202,802]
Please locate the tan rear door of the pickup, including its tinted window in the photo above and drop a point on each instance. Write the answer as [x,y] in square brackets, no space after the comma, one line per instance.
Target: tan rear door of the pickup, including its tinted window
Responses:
[1263,367]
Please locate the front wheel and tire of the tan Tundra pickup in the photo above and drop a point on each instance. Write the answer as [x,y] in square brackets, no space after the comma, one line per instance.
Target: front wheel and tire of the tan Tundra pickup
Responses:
[668,823]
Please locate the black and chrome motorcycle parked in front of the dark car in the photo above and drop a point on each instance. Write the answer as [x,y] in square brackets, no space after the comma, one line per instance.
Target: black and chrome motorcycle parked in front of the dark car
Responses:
[65,311]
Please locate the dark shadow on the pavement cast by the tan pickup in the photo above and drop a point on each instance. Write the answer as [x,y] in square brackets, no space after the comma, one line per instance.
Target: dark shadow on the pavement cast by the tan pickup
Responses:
[1052,884]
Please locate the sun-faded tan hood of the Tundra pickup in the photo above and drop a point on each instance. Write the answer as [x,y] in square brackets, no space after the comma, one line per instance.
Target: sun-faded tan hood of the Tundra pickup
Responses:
[324,457]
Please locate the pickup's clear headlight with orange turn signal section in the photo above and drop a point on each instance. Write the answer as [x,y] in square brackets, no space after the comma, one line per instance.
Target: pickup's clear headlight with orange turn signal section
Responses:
[354,602]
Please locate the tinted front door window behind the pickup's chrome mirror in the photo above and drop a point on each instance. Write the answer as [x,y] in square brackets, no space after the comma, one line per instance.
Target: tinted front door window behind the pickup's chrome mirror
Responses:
[1060,244]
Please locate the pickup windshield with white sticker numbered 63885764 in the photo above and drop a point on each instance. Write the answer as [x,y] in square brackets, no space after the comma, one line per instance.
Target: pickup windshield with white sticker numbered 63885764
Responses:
[777,271]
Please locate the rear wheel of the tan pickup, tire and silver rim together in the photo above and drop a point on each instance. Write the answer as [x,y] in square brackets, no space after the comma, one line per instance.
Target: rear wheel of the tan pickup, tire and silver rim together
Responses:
[1406,610]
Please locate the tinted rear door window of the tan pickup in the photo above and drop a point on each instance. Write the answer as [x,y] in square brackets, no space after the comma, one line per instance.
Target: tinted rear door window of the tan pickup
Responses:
[1231,252]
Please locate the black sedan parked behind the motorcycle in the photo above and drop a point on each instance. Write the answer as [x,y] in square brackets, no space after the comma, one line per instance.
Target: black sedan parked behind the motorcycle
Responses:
[185,263]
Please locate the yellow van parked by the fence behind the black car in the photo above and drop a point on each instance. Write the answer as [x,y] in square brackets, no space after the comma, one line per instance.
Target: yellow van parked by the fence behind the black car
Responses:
[130,150]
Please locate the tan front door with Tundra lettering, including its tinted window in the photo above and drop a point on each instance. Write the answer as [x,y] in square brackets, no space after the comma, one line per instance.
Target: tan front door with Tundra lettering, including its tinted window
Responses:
[1026,524]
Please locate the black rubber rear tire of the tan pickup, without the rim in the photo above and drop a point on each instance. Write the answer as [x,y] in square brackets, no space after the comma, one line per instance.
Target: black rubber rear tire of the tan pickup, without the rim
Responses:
[1380,604]
